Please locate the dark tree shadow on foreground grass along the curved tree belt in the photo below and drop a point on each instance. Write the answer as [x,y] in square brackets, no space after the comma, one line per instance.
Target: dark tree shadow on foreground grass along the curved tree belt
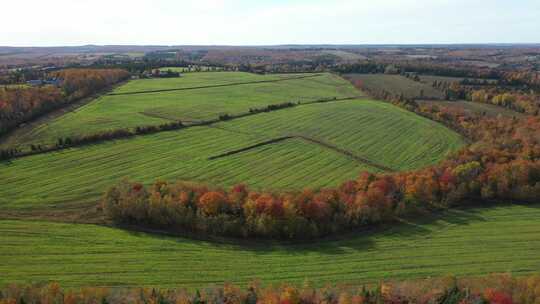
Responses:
[416,228]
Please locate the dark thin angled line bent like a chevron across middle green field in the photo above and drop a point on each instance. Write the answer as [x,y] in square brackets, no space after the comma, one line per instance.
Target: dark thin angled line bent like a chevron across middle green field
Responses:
[334,148]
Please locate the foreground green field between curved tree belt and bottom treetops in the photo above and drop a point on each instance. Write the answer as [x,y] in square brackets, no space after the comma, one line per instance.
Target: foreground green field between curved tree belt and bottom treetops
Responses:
[464,243]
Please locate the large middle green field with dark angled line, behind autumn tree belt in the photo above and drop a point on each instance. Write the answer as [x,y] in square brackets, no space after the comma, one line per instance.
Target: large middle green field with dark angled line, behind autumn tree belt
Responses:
[375,130]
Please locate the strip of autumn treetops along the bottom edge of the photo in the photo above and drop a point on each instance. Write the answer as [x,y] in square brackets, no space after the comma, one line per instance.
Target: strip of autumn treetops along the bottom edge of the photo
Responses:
[503,289]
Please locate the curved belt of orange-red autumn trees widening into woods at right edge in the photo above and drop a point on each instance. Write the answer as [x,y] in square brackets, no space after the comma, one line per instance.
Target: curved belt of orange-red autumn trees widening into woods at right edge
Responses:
[502,164]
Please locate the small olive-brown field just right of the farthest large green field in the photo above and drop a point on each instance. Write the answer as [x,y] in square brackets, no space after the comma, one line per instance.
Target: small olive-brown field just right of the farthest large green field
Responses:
[397,84]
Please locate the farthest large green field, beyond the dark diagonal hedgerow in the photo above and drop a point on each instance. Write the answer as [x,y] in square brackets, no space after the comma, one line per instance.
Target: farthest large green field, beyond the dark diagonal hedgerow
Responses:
[124,111]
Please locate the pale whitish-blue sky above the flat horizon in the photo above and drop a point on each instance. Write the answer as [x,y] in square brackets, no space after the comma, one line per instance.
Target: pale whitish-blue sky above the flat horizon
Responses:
[267,22]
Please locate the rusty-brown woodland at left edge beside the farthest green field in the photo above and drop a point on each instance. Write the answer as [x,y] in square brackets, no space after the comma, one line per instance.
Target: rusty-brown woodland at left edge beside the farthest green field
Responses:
[21,104]
